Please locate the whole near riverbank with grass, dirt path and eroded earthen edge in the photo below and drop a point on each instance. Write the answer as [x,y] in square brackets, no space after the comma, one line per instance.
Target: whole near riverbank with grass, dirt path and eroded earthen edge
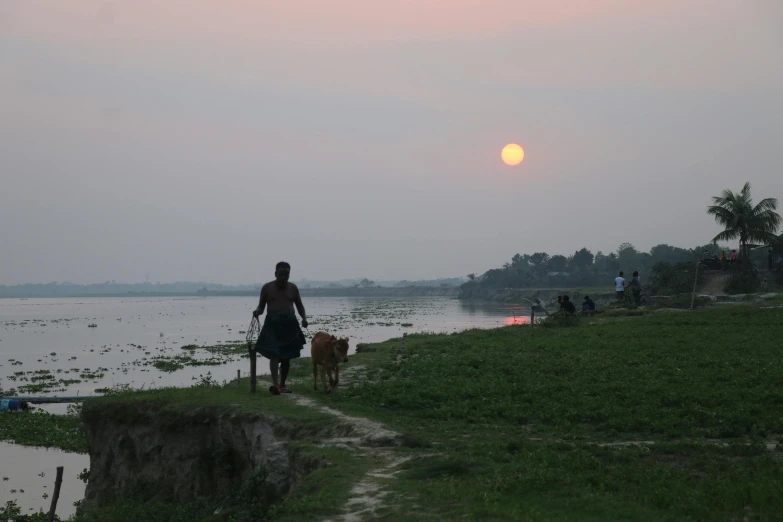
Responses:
[397,412]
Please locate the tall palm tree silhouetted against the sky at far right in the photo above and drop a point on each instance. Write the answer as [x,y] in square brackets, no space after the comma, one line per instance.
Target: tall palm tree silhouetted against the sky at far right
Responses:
[740,219]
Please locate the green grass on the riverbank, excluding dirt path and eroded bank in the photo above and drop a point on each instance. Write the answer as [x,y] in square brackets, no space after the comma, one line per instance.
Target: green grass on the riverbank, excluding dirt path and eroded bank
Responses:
[669,416]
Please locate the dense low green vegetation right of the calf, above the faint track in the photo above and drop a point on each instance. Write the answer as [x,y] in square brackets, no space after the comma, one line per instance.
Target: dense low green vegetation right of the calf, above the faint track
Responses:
[664,374]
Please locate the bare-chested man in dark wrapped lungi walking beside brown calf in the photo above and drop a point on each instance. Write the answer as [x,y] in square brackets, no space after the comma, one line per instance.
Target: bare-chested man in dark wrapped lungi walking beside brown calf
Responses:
[280,339]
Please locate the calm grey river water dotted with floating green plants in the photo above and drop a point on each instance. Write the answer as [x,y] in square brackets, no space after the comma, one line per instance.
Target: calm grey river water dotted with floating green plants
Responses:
[53,334]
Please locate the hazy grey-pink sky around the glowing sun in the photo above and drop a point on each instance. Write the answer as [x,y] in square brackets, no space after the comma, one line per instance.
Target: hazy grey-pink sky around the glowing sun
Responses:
[206,140]
